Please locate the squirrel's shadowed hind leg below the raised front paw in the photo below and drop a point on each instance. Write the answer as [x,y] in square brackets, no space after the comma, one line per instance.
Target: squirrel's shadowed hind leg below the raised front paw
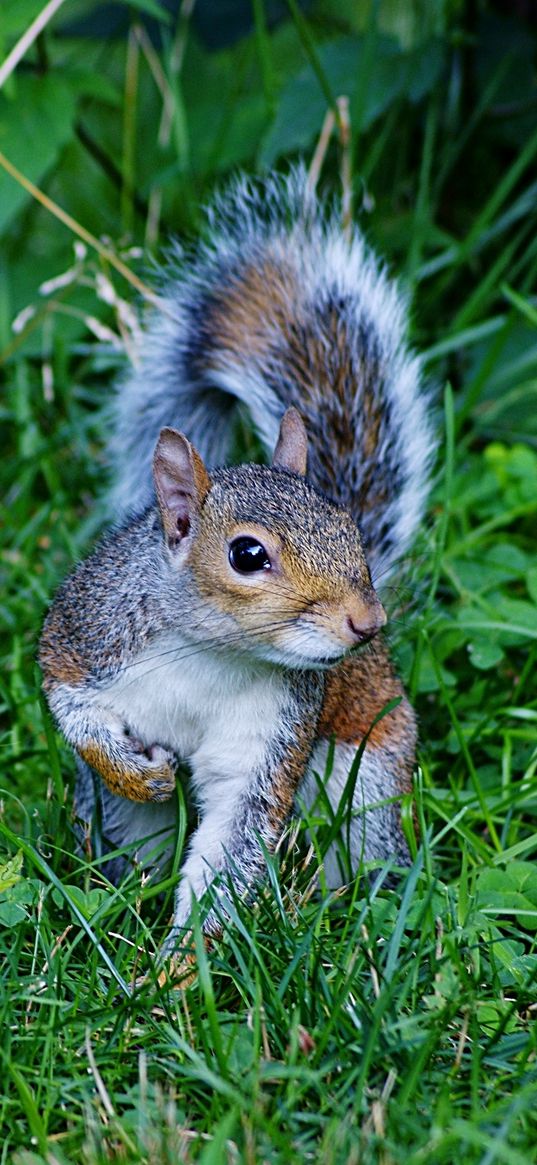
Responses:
[105,823]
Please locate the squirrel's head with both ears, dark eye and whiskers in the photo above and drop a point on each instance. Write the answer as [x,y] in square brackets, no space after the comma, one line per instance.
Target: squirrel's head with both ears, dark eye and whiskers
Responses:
[280,566]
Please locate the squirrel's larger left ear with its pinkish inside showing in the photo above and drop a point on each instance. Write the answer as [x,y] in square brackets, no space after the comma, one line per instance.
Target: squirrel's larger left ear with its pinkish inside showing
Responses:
[181,483]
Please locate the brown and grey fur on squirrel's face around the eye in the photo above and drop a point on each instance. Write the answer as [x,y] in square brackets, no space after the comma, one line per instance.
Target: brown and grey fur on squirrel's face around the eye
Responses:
[326,575]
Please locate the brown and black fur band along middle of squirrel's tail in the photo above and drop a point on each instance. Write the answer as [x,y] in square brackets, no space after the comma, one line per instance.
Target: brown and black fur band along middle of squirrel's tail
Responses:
[264,313]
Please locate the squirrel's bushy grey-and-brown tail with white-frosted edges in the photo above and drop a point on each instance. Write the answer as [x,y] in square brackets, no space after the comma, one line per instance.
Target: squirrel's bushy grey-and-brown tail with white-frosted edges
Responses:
[280,308]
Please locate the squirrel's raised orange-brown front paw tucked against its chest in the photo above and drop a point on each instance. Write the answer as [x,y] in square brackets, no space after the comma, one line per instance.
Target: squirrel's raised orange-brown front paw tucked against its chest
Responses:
[132,769]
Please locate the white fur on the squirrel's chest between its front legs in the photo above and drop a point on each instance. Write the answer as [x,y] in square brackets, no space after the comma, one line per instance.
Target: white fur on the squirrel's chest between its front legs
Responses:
[215,710]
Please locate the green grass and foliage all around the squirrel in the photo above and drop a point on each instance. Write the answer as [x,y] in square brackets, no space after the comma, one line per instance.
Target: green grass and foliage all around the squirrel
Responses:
[394,1023]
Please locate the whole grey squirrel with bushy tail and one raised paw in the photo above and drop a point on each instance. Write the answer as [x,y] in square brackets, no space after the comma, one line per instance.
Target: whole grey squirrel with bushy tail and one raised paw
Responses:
[230,619]
